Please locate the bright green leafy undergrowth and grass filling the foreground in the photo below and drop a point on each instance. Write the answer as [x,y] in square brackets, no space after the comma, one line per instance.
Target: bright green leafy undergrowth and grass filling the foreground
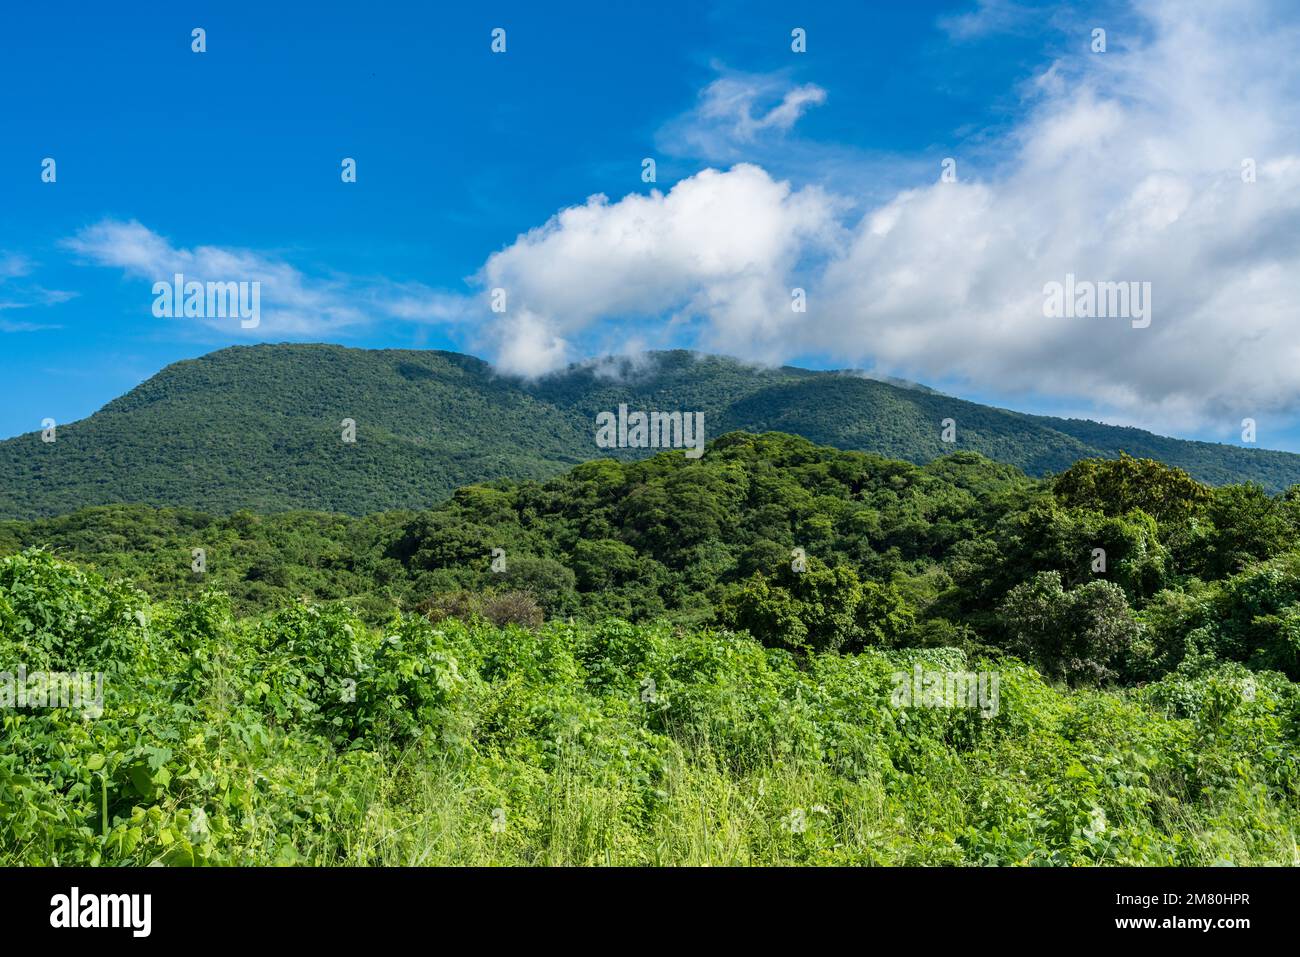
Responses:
[305,737]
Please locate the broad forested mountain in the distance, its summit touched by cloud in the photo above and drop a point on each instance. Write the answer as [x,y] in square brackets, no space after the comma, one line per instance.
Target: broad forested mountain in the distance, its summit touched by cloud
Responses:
[261,428]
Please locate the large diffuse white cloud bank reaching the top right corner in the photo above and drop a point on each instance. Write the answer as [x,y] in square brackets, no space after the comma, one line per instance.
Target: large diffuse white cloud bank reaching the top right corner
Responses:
[1128,168]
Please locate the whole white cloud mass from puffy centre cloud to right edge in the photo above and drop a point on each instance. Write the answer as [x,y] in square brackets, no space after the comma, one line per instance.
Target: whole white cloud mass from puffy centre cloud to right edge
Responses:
[1125,167]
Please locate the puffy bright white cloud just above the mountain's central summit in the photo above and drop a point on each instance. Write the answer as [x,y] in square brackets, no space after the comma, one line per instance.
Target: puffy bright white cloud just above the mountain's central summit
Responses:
[720,246]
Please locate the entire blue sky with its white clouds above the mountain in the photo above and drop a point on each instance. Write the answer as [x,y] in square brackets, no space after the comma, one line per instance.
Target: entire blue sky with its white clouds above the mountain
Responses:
[774,170]
